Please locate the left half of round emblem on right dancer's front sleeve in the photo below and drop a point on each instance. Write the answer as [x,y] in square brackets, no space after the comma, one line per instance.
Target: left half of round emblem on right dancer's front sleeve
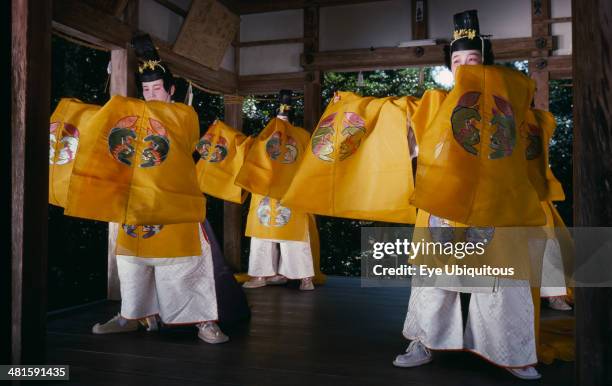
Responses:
[463,120]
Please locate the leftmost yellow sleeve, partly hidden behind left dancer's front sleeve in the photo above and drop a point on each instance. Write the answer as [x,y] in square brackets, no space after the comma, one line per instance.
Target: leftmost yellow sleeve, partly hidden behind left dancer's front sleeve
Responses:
[65,130]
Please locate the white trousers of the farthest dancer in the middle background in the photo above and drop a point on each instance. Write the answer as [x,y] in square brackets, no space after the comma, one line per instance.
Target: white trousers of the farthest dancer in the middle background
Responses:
[294,261]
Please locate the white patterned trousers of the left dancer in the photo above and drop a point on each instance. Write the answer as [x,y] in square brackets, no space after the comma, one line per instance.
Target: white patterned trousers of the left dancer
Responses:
[180,290]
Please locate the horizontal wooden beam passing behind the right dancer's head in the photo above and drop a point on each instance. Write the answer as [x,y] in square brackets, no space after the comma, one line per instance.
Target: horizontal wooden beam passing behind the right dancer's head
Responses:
[395,57]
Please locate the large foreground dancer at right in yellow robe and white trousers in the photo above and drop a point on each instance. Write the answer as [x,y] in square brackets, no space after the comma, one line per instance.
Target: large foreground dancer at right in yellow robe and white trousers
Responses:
[472,172]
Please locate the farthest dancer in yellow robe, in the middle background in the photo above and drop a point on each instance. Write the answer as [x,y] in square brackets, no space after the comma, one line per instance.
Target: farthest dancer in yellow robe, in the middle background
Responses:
[267,172]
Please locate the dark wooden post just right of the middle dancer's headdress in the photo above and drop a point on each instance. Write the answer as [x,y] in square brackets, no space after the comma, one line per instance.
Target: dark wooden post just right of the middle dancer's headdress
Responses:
[312,86]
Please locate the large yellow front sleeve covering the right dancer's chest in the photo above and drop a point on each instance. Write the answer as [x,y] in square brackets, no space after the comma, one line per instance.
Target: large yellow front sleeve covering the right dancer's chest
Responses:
[472,167]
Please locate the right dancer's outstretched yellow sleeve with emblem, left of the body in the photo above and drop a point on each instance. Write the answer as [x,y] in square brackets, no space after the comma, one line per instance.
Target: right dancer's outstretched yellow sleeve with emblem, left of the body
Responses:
[358,163]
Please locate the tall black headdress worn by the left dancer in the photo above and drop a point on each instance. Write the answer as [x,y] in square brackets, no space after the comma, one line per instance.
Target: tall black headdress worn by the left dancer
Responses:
[150,66]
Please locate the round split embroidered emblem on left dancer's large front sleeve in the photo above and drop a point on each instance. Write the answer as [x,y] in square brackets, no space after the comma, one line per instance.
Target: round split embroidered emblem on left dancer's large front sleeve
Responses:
[122,142]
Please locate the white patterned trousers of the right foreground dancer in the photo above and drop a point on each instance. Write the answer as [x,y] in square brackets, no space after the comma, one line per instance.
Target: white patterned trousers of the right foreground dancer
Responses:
[500,325]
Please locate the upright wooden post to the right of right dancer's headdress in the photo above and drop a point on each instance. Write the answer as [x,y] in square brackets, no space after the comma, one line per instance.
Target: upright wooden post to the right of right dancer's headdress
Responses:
[538,65]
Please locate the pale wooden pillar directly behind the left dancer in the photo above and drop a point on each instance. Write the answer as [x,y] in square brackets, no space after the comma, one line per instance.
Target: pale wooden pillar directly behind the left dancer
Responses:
[122,82]
